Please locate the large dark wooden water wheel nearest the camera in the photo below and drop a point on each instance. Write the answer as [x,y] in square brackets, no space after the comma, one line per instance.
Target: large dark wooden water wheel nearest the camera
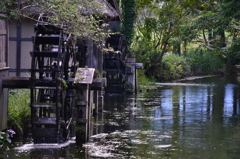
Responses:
[52,95]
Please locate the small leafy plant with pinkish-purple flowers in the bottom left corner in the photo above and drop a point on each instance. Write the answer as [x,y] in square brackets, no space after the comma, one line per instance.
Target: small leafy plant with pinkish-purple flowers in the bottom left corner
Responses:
[5,139]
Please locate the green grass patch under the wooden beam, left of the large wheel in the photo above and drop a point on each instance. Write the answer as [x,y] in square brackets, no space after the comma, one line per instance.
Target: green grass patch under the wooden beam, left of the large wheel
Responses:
[19,112]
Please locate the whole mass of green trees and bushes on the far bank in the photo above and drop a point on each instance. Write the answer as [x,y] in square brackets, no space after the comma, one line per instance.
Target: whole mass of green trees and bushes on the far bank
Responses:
[175,39]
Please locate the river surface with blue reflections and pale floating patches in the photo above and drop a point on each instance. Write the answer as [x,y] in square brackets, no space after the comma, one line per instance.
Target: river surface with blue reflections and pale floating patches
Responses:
[173,122]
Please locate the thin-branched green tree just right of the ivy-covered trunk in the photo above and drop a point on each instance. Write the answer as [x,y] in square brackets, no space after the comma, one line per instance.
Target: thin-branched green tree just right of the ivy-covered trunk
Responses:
[161,25]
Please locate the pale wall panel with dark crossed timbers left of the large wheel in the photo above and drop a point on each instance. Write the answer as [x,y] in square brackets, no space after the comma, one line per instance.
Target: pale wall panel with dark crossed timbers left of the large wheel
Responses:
[20,41]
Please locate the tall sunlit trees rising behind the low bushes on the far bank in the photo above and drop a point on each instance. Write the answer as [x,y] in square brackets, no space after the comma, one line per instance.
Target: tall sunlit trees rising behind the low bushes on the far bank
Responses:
[169,26]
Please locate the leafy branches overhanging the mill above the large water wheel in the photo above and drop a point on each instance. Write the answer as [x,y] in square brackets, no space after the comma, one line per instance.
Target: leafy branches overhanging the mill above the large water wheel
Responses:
[79,17]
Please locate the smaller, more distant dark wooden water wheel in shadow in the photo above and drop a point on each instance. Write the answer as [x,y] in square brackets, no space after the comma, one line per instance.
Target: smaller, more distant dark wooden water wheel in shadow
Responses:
[115,64]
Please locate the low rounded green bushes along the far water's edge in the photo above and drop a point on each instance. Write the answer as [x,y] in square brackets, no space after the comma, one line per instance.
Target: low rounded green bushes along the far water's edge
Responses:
[197,61]
